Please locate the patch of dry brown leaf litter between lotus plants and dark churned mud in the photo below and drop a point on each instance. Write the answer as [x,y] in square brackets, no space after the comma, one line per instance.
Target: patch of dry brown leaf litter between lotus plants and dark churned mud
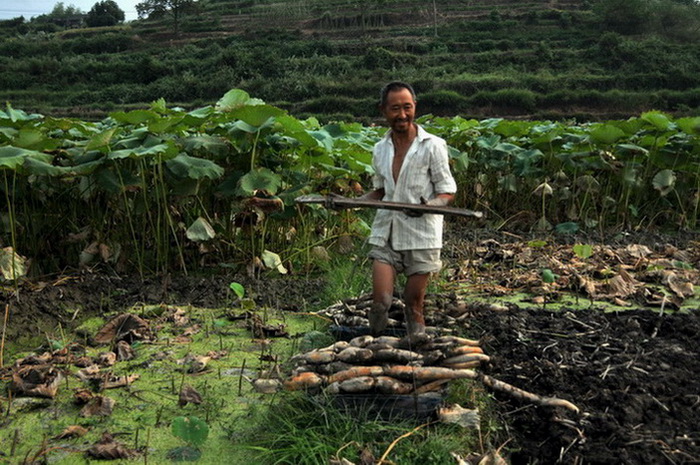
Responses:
[632,274]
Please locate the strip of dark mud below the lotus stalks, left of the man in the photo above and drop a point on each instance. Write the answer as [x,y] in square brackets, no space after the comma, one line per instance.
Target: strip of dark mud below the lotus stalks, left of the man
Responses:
[40,306]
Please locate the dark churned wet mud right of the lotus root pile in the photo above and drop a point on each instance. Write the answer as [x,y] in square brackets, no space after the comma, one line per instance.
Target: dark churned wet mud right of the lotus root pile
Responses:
[633,374]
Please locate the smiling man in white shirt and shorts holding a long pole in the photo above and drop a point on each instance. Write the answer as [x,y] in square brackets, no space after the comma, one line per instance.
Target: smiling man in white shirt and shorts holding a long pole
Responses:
[411,166]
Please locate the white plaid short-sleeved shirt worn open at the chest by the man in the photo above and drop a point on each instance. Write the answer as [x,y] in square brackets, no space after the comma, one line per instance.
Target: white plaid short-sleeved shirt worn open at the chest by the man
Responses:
[425,173]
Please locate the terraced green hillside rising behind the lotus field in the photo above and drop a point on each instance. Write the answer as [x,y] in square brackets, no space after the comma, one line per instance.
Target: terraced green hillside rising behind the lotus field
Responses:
[474,58]
